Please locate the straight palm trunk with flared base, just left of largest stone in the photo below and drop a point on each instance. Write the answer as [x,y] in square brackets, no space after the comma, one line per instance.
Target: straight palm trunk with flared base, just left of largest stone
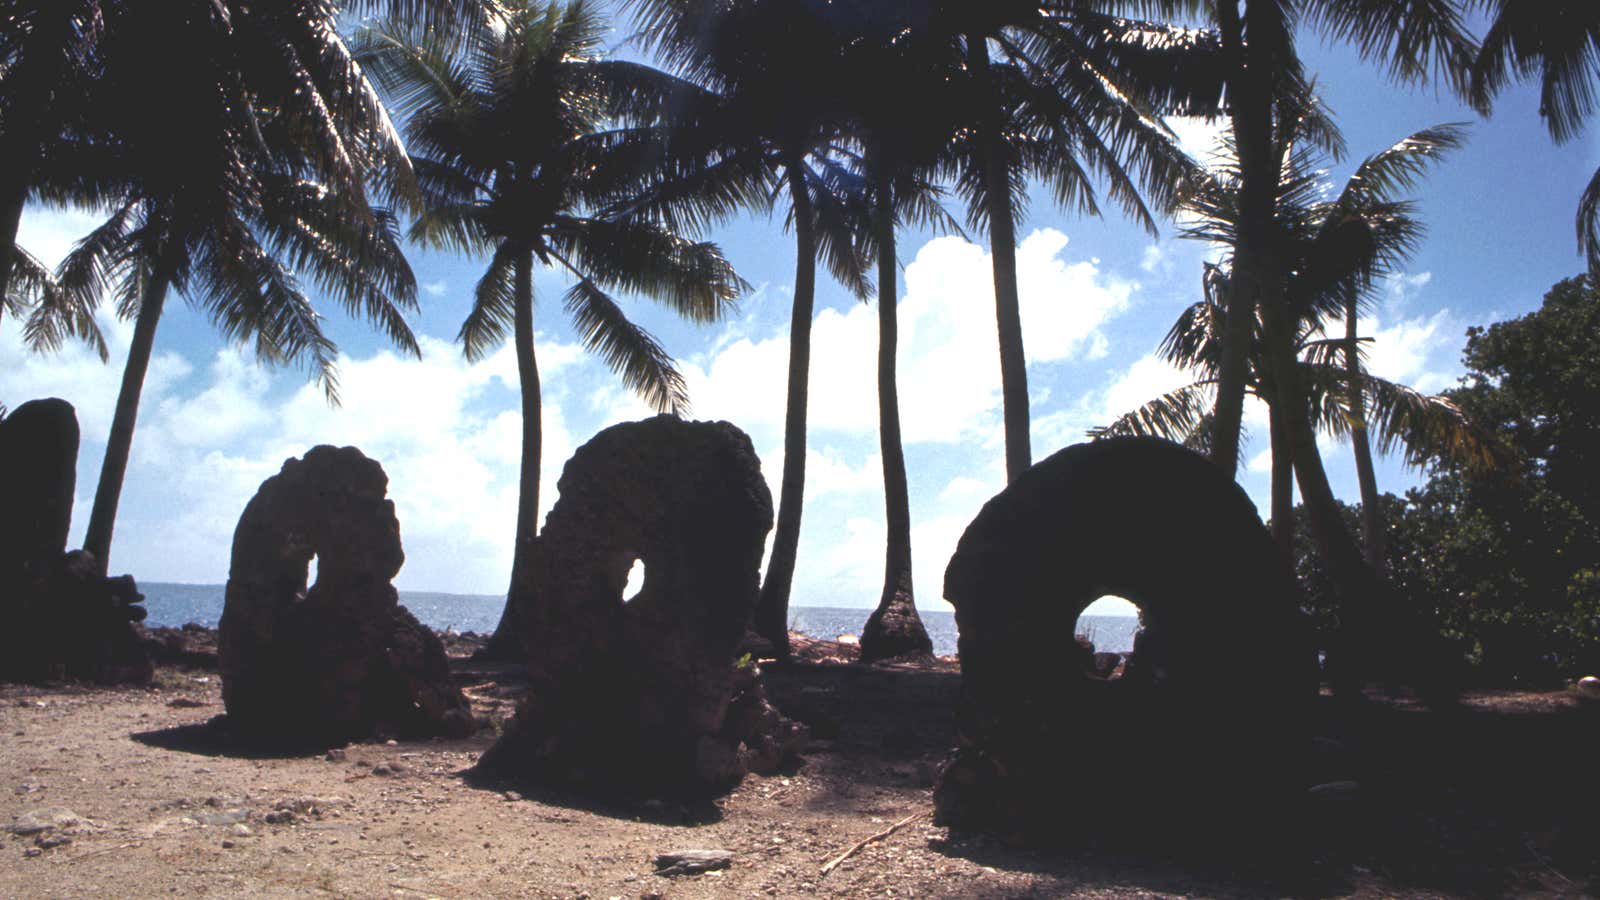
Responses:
[895,629]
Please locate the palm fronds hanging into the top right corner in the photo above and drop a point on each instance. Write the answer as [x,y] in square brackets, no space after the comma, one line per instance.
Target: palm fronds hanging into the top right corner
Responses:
[1561,46]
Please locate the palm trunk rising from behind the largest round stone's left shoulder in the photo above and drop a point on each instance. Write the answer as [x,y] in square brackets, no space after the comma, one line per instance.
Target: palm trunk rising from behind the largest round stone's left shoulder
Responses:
[1002,254]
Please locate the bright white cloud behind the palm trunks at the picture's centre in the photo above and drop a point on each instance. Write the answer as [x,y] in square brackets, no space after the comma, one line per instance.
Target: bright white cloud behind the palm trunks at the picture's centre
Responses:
[948,364]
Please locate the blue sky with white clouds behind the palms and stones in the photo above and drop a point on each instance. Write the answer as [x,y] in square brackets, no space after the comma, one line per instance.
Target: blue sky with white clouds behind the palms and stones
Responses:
[1097,300]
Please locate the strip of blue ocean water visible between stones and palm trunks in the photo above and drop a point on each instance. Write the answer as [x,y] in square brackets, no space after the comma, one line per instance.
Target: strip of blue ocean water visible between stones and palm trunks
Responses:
[182,605]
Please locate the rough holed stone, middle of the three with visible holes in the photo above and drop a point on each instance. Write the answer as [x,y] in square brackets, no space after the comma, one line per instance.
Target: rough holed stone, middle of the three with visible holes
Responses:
[639,696]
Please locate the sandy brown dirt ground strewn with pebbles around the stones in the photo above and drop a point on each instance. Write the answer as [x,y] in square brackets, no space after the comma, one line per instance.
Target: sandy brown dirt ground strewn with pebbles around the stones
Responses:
[1497,798]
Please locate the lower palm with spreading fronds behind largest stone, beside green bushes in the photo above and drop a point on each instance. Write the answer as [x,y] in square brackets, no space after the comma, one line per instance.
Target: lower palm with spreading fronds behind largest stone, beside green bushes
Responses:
[1337,251]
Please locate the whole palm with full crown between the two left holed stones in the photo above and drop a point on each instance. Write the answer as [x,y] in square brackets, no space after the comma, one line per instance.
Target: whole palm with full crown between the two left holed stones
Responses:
[521,134]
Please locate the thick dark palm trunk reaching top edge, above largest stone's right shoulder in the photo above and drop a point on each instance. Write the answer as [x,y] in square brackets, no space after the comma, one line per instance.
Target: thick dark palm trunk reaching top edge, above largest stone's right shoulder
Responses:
[1252,119]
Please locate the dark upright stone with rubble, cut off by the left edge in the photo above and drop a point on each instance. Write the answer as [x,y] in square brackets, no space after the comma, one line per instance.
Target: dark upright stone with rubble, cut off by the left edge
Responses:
[63,619]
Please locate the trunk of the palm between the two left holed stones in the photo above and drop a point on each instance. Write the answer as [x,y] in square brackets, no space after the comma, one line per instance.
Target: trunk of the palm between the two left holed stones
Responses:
[506,643]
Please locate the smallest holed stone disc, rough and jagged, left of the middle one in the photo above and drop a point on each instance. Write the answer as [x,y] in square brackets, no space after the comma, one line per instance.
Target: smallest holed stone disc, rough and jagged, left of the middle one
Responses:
[343,659]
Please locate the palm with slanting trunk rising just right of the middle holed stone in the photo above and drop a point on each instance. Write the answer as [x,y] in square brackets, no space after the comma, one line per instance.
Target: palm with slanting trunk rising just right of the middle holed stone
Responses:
[778,106]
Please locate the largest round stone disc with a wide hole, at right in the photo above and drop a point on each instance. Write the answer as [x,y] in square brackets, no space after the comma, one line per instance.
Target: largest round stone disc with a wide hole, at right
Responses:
[1207,725]
